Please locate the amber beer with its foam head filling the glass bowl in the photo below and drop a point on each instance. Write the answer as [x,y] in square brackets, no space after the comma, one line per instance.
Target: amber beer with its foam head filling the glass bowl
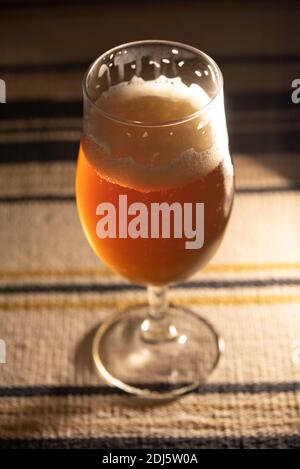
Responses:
[152,153]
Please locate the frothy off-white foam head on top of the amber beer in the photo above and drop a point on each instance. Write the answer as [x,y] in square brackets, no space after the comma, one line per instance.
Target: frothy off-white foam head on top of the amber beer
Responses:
[149,158]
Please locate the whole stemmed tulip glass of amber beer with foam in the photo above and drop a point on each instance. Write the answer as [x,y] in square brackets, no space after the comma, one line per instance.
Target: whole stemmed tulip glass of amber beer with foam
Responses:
[154,190]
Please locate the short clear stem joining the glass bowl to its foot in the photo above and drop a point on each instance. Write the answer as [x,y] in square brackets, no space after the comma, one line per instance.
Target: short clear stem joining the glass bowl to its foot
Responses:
[157,327]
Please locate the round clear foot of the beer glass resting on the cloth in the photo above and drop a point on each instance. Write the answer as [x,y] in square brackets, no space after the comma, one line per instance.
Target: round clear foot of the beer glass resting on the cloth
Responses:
[156,369]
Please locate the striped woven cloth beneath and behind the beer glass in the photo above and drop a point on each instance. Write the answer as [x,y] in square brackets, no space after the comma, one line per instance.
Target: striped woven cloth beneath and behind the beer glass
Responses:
[54,291]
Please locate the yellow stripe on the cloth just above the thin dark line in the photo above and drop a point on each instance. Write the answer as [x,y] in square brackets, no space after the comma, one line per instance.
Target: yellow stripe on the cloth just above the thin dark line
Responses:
[103,271]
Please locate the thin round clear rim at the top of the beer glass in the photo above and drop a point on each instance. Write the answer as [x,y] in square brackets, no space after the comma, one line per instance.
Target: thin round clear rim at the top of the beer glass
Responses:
[134,123]
